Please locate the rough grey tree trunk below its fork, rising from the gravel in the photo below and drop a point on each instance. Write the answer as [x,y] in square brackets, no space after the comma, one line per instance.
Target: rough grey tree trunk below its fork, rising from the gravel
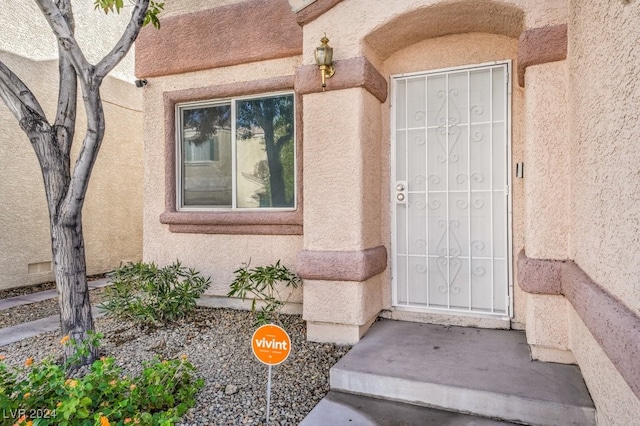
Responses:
[76,320]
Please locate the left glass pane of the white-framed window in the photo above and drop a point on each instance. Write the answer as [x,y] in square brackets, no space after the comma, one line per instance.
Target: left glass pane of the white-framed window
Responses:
[206,156]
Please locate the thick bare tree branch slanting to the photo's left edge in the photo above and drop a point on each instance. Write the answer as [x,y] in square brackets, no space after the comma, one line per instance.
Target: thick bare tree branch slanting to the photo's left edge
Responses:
[18,97]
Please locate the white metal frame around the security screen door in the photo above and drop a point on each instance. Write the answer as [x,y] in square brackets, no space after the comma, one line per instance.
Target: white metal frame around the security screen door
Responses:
[392,191]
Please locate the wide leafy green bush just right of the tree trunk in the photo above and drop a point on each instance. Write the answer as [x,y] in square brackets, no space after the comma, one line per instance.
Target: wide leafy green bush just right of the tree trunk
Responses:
[150,295]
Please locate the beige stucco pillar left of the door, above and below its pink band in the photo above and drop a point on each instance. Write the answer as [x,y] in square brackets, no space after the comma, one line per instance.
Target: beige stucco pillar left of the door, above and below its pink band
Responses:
[343,178]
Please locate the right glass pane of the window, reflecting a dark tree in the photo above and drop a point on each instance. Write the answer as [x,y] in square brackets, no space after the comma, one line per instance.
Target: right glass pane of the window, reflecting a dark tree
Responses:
[265,154]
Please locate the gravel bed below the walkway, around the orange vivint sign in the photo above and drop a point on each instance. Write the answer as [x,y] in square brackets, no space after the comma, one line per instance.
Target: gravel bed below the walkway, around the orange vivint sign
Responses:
[217,341]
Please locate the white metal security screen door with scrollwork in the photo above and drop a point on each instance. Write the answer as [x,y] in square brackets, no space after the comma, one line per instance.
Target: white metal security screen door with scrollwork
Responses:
[450,193]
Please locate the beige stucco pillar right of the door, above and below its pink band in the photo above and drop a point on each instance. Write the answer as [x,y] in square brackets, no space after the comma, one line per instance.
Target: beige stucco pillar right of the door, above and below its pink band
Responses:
[547,198]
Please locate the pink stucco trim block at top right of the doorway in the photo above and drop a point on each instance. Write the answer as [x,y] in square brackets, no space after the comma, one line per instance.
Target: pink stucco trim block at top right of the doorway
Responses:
[540,46]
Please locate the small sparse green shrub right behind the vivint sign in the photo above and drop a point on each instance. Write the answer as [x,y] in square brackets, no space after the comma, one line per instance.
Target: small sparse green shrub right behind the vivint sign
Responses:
[262,282]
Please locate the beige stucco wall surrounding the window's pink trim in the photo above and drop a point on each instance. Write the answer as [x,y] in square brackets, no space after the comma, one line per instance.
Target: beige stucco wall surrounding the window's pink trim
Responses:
[215,255]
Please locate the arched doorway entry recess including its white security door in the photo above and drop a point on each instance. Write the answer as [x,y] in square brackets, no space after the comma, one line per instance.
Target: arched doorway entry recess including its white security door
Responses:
[451,247]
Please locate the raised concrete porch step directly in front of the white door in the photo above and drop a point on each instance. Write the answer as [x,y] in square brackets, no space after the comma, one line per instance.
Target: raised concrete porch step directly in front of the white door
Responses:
[481,372]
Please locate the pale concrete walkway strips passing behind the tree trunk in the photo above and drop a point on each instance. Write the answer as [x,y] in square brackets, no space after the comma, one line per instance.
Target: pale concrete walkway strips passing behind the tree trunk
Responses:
[23,331]
